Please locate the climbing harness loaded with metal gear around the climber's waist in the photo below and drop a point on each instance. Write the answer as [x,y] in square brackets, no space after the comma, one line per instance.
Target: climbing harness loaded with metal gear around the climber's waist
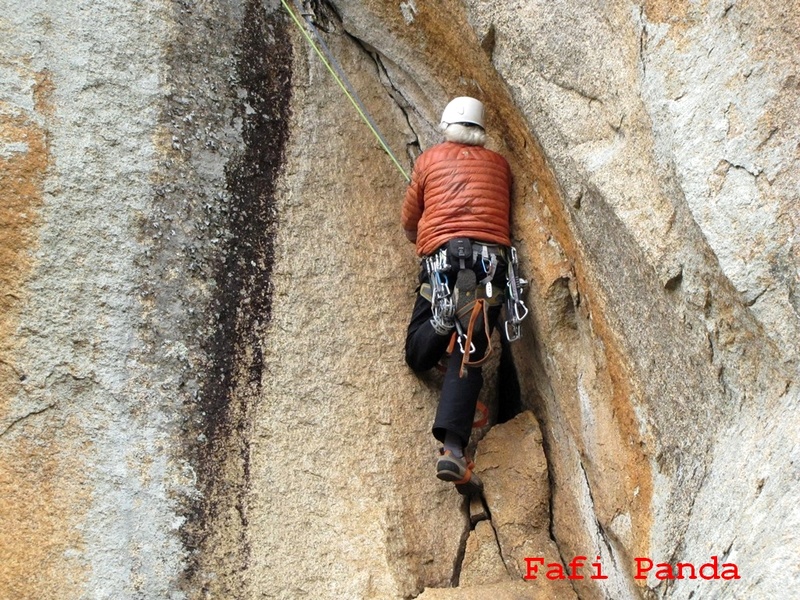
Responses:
[465,306]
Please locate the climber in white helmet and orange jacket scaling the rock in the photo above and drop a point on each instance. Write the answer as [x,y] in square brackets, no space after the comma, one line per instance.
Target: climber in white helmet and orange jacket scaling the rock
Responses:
[456,210]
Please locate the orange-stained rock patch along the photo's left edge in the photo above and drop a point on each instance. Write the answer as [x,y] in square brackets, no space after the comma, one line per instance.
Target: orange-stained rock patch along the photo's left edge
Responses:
[38,487]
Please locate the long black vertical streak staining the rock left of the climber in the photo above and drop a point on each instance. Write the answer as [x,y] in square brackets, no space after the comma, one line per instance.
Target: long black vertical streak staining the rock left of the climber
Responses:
[243,301]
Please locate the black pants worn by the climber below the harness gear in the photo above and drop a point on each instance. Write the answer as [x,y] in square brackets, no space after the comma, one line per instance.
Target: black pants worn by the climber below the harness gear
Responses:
[424,349]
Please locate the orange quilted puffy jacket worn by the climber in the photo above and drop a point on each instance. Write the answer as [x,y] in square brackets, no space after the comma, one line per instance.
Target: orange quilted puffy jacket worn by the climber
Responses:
[458,190]
